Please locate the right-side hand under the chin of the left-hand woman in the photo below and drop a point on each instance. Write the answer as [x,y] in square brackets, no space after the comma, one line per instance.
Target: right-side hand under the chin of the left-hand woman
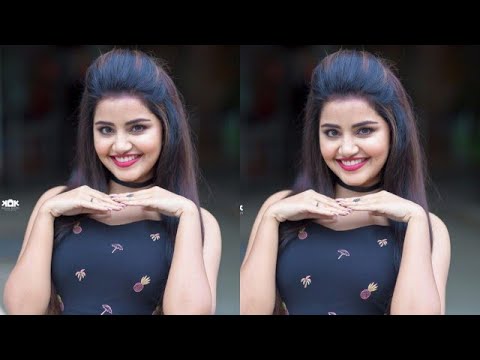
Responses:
[158,199]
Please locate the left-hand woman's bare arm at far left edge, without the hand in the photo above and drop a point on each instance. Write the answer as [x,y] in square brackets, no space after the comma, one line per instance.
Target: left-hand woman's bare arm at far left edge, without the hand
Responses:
[27,290]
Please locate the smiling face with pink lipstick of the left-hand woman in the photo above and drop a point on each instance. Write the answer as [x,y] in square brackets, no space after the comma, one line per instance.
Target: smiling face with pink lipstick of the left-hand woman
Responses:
[127,138]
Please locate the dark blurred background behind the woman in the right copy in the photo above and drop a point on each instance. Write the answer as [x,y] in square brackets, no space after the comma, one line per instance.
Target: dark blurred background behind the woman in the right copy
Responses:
[444,83]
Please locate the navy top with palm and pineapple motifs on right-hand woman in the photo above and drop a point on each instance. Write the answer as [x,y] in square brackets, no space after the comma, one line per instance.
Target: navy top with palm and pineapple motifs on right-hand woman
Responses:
[324,271]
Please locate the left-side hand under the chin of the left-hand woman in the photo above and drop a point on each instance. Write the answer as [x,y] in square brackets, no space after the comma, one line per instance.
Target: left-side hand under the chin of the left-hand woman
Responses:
[81,200]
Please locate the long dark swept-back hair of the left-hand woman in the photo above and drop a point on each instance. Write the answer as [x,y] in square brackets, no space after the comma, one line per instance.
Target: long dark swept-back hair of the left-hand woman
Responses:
[130,72]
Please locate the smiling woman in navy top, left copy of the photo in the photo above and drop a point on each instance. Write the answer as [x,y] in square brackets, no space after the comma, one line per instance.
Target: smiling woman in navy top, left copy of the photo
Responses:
[126,234]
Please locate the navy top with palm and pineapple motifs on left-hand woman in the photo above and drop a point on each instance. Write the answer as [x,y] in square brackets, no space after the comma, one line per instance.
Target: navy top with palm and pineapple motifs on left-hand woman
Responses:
[112,269]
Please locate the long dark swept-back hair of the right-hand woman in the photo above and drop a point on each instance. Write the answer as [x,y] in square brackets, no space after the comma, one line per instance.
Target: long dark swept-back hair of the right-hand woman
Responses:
[359,74]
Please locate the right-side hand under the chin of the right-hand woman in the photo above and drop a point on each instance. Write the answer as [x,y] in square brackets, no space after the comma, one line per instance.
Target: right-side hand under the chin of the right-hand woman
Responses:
[384,203]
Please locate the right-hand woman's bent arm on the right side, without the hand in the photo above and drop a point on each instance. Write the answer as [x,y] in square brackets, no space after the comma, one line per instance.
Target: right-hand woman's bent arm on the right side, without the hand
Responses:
[422,278]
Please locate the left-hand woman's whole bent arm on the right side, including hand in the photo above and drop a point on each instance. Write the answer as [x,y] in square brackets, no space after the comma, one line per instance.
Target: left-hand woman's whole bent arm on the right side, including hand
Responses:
[191,284]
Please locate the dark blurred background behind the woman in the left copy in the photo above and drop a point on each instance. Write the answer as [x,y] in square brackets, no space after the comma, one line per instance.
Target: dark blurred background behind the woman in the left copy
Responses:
[40,90]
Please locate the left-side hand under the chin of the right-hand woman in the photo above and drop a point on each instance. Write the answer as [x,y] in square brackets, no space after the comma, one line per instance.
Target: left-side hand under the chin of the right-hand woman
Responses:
[306,205]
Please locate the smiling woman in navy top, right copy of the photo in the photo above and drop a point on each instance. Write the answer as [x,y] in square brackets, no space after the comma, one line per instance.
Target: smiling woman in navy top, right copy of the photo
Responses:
[354,235]
